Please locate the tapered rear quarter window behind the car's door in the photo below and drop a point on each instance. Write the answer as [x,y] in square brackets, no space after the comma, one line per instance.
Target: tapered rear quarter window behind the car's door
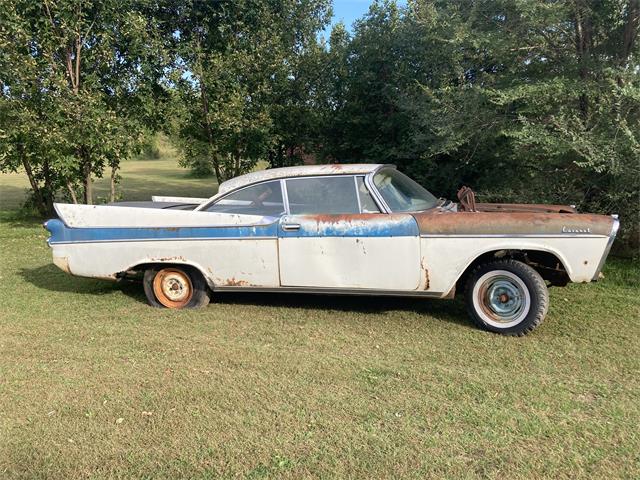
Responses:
[262,199]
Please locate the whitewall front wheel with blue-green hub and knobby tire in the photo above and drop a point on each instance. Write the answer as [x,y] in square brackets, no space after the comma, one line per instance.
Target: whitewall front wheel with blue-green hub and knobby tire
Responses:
[507,296]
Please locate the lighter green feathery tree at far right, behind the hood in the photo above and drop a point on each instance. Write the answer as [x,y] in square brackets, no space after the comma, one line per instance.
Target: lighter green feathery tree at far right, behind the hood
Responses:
[548,107]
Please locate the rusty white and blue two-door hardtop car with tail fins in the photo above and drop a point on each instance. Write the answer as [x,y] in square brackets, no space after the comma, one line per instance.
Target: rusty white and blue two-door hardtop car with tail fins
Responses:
[339,229]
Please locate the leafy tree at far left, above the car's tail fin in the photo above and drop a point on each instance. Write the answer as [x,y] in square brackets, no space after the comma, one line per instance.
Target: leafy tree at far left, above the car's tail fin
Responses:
[75,83]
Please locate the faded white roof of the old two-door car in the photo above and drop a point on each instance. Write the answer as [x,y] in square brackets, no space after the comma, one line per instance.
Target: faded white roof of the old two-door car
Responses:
[300,171]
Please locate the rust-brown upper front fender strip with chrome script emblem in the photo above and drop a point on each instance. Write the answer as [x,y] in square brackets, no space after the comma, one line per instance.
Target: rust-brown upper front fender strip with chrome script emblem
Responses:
[438,222]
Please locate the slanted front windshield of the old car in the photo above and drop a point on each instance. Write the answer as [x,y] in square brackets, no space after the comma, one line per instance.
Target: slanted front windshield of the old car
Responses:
[401,193]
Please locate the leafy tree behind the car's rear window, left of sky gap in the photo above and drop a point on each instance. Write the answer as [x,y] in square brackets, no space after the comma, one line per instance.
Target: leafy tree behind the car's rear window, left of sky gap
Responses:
[235,67]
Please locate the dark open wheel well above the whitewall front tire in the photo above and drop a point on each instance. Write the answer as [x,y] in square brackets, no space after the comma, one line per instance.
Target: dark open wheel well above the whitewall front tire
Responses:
[549,266]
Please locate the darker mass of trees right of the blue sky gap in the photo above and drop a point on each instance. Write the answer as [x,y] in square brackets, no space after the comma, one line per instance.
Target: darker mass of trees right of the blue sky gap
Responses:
[523,101]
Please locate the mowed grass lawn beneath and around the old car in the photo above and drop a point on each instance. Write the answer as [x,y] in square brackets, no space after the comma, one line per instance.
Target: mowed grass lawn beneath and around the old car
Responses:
[96,384]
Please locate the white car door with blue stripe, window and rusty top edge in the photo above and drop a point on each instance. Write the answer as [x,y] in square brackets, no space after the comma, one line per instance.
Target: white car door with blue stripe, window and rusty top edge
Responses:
[331,238]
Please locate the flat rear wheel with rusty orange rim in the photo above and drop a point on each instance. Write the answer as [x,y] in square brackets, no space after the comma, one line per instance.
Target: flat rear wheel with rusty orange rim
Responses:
[175,287]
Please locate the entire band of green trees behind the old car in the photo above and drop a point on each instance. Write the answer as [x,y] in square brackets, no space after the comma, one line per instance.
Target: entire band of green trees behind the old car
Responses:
[521,100]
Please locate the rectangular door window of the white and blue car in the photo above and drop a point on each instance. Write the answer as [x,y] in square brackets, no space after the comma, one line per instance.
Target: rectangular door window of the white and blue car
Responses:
[322,195]
